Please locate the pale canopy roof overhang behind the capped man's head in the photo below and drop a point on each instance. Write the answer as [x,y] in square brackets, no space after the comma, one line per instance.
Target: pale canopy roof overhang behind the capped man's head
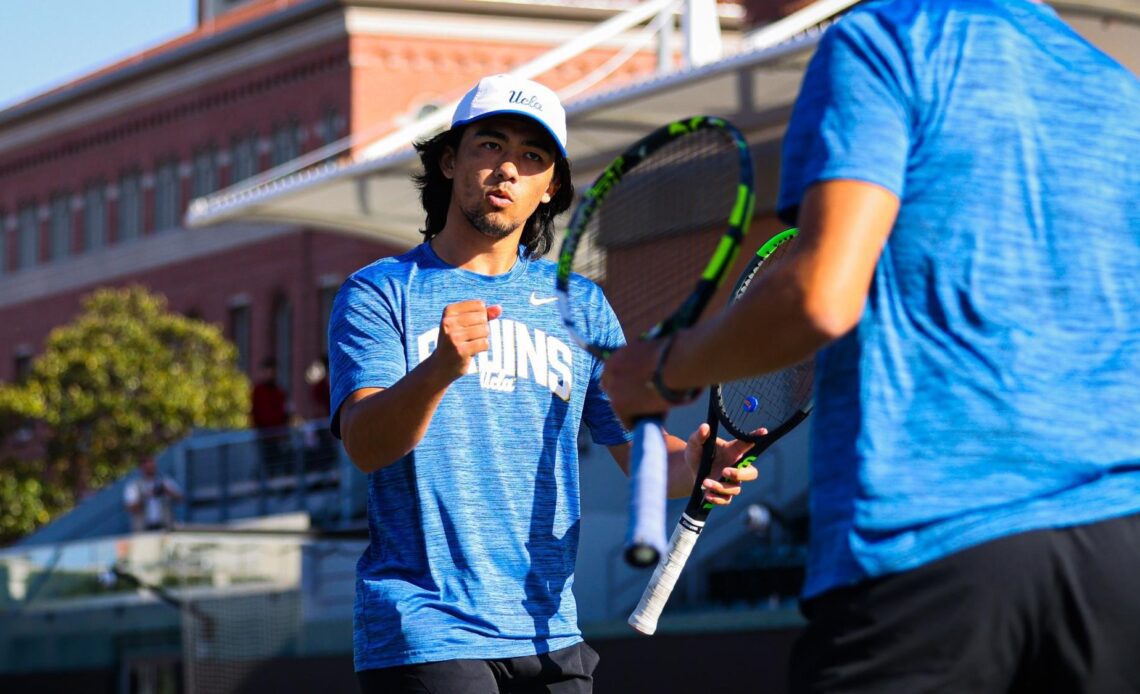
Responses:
[755,89]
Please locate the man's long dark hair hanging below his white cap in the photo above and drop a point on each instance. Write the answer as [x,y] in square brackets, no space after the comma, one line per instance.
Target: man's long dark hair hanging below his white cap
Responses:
[436,194]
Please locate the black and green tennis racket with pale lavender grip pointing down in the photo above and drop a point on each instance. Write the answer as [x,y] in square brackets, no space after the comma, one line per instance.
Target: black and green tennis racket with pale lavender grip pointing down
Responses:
[674,207]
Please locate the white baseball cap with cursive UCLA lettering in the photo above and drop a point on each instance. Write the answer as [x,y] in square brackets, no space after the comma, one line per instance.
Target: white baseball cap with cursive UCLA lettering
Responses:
[506,94]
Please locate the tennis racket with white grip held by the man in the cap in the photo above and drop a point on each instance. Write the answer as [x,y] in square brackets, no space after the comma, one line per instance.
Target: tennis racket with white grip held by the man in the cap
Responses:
[778,402]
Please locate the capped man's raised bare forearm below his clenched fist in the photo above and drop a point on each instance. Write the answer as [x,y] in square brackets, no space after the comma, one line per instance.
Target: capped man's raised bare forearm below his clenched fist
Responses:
[385,427]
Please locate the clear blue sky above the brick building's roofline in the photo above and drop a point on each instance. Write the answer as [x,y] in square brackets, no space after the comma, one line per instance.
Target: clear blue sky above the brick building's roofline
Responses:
[45,44]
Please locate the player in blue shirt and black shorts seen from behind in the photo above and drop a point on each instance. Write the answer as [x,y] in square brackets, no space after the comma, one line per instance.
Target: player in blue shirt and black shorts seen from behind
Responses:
[966,176]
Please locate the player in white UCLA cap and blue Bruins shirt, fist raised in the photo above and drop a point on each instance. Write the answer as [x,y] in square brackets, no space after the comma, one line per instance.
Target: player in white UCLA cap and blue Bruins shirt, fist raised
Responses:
[457,388]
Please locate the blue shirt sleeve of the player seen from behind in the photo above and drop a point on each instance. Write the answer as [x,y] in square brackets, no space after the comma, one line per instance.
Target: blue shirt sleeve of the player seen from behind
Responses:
[853,117]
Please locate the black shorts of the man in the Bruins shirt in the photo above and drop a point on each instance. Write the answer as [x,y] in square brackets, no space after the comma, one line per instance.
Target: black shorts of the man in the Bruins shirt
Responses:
[565,672]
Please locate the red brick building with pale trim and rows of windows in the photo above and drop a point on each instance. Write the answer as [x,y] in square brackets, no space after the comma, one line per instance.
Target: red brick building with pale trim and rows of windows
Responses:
[96,176]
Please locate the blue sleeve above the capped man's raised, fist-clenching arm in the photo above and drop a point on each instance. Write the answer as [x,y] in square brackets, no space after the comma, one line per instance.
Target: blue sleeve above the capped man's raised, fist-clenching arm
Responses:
[365,344]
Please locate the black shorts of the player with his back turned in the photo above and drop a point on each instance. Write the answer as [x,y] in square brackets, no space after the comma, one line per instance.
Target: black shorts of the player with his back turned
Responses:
[1043,611]
